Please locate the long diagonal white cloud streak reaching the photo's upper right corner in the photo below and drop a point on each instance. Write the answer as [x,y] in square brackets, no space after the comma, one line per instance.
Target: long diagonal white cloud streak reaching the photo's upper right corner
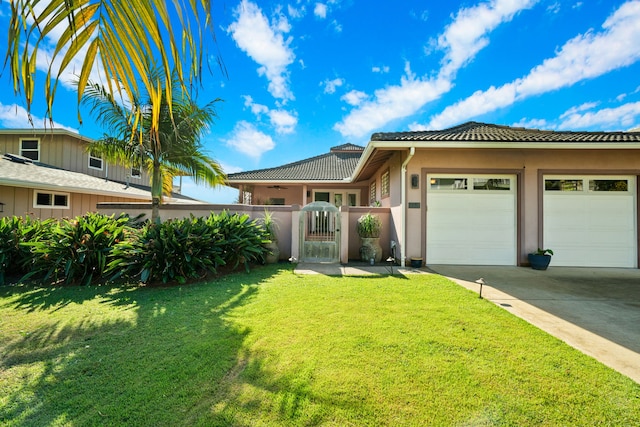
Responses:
[586,56]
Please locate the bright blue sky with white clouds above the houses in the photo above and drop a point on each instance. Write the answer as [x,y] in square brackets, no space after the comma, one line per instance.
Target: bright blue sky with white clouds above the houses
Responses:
[304,76]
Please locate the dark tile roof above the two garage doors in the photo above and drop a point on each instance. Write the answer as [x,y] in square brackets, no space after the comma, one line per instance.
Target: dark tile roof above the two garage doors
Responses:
[483,132]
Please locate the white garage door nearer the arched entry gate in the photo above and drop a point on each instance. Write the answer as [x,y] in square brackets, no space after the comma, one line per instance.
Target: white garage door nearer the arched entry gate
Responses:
[471,219]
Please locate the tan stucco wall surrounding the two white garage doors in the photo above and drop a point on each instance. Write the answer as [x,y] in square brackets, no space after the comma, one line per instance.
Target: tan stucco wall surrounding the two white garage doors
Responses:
[529,164]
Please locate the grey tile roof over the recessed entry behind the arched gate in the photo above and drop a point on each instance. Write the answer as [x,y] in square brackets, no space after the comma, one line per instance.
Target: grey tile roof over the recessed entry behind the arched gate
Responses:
[337,165]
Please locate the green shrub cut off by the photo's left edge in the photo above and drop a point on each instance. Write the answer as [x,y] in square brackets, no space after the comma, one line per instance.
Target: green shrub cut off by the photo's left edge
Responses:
[15,257]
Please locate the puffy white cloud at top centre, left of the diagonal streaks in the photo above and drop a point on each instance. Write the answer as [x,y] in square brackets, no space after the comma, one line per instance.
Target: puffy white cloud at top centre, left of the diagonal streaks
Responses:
[266,45]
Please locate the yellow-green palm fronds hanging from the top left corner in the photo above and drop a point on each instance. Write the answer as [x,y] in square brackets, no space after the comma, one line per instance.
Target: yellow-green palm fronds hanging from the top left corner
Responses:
[112,38]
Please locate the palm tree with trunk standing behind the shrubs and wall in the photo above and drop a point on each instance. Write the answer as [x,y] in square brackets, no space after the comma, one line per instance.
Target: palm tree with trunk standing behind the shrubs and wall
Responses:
[173,149]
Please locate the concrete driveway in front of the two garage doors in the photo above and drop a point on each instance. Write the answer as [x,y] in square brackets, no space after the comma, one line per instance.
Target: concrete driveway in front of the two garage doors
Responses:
[596,310]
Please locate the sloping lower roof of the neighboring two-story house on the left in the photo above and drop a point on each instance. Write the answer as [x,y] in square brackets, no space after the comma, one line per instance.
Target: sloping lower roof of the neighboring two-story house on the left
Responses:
[44,177]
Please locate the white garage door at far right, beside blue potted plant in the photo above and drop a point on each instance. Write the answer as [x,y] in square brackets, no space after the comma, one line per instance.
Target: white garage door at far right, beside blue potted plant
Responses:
[590,221]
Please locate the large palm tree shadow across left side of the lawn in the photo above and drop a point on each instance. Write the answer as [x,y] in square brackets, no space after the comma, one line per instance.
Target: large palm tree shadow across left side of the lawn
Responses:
[118,355]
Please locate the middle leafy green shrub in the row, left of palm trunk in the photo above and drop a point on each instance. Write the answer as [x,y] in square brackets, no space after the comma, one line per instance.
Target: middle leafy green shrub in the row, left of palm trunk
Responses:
[76,250]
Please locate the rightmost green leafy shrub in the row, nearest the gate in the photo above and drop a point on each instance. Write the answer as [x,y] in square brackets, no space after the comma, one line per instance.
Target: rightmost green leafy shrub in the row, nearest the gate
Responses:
[174,250]
